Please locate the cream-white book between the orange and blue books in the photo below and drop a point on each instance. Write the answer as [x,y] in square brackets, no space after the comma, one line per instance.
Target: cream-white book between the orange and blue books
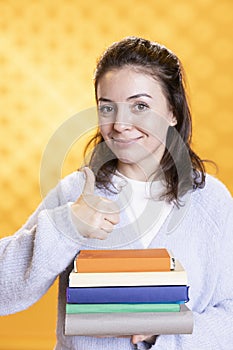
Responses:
[178,276]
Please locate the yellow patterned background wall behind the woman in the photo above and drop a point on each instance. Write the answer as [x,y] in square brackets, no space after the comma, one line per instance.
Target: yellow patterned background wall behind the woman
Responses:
[48,51]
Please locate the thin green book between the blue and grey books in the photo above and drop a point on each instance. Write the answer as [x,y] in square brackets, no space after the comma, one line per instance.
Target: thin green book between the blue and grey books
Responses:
[108,308]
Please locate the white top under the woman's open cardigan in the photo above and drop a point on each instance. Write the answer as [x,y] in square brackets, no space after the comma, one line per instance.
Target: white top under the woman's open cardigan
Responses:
[136,197]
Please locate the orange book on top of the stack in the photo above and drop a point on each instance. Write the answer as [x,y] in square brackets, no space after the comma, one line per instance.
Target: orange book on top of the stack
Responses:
[131,260]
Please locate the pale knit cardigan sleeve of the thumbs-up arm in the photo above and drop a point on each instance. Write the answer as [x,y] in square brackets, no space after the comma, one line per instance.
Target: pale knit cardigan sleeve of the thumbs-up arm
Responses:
[32,258]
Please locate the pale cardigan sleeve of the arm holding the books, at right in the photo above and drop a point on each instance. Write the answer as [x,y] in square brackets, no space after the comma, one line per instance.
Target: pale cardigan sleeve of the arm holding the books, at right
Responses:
[213,326]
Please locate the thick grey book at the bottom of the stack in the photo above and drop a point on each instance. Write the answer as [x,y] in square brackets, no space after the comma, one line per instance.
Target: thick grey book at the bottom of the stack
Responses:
[120,324]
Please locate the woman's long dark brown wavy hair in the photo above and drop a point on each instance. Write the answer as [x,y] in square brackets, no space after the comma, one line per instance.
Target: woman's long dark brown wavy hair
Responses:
[180,166]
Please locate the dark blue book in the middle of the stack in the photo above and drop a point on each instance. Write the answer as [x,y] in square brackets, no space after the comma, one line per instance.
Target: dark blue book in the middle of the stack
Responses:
[139,294]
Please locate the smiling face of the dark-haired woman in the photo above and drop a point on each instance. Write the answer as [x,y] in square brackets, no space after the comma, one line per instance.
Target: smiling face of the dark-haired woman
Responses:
[133,116]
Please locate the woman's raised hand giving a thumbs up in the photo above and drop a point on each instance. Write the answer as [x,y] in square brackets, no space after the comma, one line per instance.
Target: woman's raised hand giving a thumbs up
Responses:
[94,216]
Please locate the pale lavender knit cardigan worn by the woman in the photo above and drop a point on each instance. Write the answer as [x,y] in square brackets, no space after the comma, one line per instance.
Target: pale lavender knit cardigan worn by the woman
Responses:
[200,235]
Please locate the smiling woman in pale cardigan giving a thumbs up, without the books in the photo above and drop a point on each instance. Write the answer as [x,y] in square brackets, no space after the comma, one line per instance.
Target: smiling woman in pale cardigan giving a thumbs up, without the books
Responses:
[144,187]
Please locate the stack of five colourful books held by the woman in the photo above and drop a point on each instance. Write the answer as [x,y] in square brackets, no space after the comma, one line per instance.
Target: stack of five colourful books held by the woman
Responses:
[125,292]
